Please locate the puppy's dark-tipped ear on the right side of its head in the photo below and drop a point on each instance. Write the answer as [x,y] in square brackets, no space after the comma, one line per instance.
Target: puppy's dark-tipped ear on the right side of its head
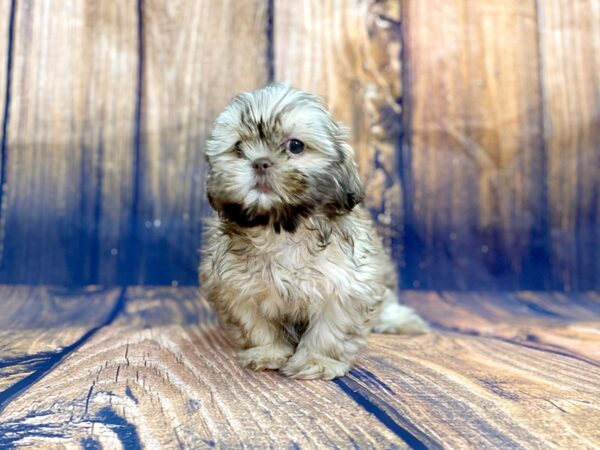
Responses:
[345,189]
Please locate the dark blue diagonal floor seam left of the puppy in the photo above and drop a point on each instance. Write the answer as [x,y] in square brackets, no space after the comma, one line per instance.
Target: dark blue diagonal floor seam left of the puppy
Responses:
[11,393]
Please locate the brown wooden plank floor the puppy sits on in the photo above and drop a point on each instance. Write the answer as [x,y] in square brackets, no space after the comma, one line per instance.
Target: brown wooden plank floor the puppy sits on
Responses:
[149,368]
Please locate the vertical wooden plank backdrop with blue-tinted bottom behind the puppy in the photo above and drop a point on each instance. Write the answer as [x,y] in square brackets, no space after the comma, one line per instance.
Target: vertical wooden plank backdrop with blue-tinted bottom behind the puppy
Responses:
[476,124]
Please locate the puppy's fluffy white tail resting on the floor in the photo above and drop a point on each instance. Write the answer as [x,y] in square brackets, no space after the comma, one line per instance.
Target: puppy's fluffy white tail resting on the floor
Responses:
[395,318]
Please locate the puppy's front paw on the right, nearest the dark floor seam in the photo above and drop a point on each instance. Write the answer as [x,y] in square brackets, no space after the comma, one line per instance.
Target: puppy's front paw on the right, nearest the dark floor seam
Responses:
[309,366]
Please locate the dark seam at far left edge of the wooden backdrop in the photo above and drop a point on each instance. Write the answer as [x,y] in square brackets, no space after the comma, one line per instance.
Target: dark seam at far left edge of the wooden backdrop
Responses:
[5,119]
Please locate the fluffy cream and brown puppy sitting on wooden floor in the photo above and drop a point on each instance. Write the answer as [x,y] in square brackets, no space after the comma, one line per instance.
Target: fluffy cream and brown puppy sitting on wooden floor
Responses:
[292,262]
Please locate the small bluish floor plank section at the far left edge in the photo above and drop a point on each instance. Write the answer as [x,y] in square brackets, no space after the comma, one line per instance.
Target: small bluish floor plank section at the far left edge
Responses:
[37,324]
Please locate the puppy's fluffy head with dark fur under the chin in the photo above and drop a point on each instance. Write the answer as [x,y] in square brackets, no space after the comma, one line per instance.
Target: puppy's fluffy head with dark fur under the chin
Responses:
[276,156]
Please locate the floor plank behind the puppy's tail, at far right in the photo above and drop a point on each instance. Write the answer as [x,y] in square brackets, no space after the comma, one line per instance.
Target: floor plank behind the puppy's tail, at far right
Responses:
[554,322]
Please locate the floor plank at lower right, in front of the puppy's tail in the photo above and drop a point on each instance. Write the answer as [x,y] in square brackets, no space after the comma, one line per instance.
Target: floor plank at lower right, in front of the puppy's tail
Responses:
[475,392]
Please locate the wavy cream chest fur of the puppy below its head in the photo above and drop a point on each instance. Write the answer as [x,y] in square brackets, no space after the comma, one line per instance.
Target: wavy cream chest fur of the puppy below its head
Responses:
[296,273]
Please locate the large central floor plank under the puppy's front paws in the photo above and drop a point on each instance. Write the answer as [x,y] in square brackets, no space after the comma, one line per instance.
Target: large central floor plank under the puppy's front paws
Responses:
[158,379]
